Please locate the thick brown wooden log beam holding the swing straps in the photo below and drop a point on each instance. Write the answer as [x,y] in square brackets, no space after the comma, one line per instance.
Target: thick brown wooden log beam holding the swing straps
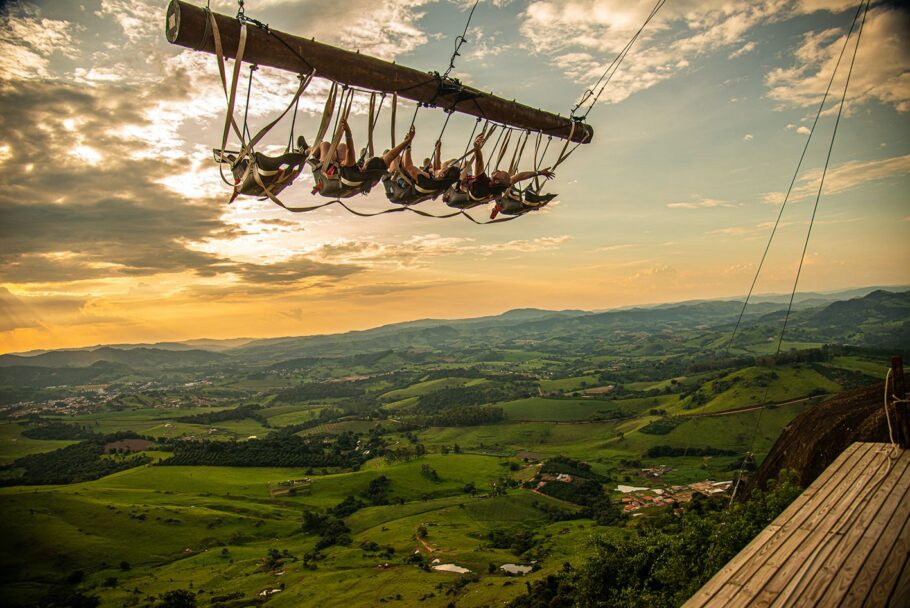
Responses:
[186,25]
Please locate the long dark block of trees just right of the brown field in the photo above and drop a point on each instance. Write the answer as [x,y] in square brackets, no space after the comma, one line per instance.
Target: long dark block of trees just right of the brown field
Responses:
[270,452]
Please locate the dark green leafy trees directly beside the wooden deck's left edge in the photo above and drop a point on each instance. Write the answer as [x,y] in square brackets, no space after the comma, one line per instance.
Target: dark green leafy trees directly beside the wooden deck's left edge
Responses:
[668,559]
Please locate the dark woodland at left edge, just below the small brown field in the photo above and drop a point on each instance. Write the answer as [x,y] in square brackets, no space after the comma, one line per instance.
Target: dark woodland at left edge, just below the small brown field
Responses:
[82,461]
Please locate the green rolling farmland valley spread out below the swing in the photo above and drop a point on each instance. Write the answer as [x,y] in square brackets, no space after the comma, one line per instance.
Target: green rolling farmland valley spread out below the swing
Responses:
[406,455]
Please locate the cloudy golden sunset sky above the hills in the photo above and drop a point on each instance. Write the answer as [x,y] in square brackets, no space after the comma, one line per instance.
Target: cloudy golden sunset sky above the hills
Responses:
[115,226]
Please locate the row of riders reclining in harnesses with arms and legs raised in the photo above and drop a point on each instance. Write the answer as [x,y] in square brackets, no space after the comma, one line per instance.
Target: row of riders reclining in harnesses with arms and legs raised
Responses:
[463,184]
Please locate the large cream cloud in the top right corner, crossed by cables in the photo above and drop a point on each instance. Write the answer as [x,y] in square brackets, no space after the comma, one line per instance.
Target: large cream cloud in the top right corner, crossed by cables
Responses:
[882,71]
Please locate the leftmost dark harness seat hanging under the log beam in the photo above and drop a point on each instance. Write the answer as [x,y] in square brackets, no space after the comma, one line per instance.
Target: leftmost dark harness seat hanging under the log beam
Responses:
[252,174]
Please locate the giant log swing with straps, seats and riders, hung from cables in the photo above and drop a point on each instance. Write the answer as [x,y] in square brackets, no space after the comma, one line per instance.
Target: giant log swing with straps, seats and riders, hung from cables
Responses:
[256,174]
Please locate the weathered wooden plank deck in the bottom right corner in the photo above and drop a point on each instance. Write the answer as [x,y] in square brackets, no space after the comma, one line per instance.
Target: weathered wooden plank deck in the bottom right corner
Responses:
[844,542]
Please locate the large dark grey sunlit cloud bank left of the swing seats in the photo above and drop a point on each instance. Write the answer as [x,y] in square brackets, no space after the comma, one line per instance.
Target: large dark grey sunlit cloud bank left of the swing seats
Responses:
[100,215]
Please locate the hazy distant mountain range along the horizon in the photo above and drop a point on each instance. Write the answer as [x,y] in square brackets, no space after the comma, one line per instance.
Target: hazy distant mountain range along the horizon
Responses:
[852,316]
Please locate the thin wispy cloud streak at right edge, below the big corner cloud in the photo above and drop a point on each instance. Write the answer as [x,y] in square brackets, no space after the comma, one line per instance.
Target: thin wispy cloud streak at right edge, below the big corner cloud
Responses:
[844,177]
